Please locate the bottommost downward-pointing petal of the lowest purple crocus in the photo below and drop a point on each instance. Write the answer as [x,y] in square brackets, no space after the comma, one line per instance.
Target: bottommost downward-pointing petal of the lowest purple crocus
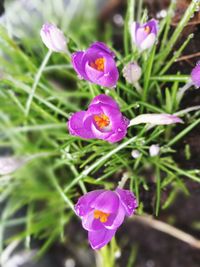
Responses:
[98,239]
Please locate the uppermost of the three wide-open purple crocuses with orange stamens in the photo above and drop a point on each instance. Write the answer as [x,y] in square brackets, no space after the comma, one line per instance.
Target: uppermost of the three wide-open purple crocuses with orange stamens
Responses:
[96,65]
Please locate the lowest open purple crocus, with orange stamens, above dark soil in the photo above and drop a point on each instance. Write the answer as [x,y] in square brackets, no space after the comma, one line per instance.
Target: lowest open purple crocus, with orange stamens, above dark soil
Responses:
[102,212]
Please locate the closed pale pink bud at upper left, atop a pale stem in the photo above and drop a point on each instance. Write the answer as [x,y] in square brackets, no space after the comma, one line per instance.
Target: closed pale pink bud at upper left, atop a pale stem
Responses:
[53,38]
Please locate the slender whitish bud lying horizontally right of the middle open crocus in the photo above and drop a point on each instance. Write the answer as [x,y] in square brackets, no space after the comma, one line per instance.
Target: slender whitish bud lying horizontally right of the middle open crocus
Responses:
[156,119]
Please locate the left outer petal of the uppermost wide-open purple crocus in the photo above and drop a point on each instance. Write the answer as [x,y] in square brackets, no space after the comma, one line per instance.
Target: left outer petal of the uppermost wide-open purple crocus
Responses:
[77,61]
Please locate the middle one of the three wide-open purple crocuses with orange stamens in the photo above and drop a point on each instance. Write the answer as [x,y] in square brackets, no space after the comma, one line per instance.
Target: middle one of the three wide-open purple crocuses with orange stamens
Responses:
[102,120]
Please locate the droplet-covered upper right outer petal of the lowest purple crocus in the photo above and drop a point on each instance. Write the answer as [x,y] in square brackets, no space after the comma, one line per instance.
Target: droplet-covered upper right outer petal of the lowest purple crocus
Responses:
[128,200]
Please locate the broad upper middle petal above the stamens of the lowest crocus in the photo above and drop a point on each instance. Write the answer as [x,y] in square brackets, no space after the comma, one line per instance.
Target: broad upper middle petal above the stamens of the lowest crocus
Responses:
[107,202]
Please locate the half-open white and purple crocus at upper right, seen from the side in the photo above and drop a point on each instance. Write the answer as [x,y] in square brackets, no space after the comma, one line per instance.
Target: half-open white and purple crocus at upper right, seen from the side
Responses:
[144,36]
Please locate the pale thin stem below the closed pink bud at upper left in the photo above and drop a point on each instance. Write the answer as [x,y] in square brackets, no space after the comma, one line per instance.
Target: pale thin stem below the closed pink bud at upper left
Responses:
[37,79]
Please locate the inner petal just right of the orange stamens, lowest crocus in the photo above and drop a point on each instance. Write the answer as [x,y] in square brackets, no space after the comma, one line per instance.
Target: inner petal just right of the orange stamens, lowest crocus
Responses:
[115,220]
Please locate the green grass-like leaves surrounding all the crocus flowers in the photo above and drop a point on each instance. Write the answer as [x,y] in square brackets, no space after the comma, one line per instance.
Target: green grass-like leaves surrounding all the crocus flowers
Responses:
[62,166]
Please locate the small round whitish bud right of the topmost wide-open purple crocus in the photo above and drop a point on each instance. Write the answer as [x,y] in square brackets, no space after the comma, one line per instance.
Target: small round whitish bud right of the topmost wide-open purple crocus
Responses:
[132,72]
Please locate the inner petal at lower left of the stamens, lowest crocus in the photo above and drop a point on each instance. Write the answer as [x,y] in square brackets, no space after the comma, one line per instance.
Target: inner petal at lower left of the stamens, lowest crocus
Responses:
[89,223]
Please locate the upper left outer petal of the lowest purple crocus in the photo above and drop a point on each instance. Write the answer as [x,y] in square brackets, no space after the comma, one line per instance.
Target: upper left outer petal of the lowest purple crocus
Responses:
[83,205]
